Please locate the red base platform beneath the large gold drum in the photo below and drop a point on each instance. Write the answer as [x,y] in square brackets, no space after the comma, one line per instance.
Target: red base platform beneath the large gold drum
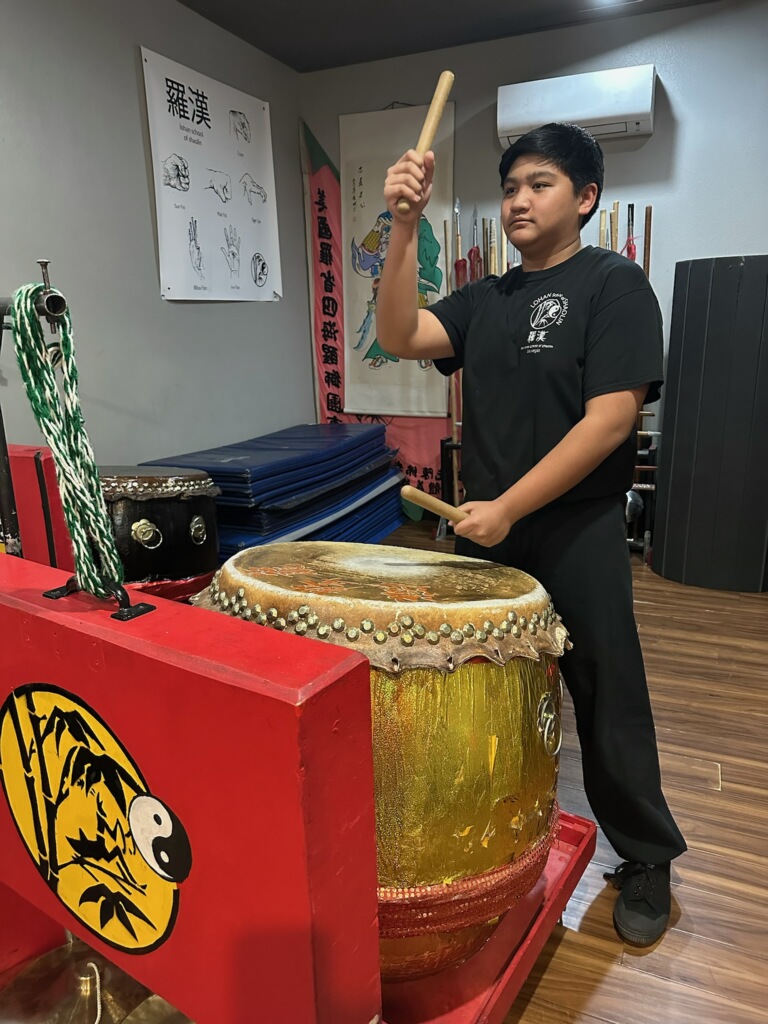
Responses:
[483,991]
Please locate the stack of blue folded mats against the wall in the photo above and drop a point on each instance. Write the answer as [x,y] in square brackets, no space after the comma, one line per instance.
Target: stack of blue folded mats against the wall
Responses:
[314,482]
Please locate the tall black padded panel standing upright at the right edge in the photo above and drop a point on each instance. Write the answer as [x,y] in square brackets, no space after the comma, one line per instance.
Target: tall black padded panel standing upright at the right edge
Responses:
[712,516]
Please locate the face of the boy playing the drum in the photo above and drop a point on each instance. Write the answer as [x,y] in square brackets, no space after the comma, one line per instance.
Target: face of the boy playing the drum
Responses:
[540,211]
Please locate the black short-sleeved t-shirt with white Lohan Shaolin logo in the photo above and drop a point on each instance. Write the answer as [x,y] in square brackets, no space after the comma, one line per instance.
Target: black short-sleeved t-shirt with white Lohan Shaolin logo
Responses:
[535,348]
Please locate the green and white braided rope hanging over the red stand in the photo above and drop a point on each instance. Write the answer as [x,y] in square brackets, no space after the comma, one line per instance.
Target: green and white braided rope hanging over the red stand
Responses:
[61,420]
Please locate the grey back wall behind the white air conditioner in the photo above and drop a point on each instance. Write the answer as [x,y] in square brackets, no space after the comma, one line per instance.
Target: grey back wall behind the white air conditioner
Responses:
[704,170]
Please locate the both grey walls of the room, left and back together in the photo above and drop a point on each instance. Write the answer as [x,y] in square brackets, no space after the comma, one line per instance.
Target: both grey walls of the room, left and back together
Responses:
[161,378]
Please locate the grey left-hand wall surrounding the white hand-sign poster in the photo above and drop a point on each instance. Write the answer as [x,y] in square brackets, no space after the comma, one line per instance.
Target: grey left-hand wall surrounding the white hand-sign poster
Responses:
[157,378]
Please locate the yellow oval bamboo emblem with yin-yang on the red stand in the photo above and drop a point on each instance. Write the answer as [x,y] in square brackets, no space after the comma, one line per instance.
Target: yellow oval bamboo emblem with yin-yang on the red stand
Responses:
[111,851]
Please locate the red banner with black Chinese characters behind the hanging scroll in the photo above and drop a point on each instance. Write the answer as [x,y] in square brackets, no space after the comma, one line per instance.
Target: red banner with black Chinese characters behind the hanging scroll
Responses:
[416,439]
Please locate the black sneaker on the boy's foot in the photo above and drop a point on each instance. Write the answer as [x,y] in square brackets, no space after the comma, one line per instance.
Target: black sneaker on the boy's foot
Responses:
[643,910]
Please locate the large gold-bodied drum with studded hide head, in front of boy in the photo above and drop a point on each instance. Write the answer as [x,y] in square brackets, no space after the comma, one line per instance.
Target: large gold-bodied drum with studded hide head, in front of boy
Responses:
[466,731]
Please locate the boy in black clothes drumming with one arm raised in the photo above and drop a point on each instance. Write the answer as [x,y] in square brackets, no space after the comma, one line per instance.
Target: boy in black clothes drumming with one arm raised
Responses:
[559,356]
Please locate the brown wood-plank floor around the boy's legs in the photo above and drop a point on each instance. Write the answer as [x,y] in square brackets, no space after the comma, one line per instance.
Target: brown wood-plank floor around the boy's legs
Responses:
[707,661]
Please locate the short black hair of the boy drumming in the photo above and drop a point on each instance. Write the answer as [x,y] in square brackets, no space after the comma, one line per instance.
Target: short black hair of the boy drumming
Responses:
[571,149]
